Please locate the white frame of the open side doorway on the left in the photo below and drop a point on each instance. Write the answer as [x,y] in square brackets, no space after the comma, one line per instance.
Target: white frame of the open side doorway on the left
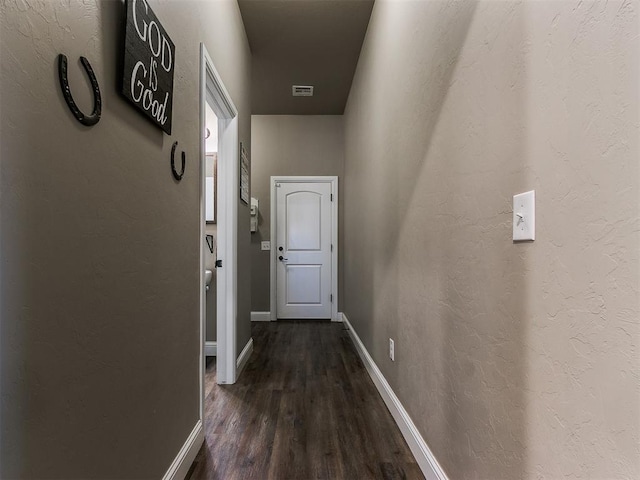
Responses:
[227,221]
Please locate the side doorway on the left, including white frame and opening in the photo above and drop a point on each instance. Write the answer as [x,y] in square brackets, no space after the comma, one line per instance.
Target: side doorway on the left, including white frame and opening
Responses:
[218,203]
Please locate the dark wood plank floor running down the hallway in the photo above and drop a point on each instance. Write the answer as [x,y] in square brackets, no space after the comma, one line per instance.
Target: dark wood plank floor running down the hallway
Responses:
[304,408]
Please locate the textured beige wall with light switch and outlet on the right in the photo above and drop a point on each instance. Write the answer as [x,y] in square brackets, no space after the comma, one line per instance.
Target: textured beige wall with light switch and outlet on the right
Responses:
[514,360]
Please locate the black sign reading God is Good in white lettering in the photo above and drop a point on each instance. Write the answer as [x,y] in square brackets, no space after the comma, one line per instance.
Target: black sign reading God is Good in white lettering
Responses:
[149,62]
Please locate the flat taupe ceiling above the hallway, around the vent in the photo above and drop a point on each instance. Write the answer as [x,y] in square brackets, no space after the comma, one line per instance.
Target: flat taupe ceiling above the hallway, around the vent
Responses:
[303,42]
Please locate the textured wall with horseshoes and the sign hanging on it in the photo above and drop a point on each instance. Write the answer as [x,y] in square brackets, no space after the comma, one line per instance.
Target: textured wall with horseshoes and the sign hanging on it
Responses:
[99,284]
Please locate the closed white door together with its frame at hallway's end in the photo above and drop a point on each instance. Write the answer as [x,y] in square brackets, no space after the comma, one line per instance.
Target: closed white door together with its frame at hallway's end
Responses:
[304,257]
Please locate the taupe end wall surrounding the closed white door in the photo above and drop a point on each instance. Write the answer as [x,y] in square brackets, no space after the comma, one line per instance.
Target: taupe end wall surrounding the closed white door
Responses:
[291,145]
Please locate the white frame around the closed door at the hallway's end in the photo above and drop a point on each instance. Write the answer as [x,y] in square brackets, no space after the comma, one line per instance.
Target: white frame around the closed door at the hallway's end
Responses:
[334,238]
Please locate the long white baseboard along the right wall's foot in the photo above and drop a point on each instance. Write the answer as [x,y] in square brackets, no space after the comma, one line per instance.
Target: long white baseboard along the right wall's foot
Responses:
[421,451]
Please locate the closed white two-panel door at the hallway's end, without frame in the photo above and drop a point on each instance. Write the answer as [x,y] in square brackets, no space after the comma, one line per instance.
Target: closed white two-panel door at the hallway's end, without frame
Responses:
[303,250]
